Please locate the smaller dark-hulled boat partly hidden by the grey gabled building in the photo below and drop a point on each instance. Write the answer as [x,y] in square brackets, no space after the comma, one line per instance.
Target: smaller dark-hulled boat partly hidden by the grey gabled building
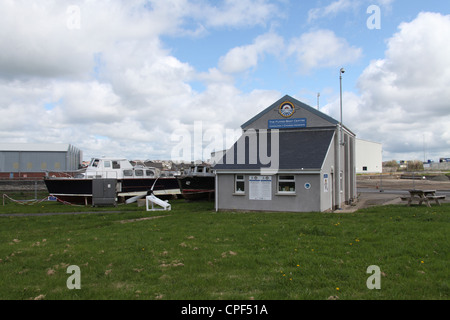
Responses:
[197,182]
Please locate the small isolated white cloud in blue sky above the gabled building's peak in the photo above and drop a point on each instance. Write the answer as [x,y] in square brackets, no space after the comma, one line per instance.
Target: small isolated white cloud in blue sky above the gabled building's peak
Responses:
[322,48]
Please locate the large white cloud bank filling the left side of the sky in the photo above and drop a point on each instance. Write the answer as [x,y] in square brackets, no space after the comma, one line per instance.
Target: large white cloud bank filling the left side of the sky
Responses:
[106,81]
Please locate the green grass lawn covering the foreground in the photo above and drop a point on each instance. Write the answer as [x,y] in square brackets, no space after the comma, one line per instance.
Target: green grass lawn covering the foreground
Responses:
[192,252]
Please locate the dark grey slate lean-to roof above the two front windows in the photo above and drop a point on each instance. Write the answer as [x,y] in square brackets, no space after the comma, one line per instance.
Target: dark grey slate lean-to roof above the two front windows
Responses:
[304,149]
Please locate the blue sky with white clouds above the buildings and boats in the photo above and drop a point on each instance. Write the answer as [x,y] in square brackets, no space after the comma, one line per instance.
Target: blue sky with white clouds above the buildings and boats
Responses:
[145,79]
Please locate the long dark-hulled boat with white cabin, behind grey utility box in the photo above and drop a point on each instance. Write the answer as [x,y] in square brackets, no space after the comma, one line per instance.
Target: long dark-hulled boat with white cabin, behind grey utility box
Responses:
[130,181]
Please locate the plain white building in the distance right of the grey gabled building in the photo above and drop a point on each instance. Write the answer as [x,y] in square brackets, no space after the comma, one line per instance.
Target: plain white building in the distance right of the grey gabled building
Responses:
[369,158]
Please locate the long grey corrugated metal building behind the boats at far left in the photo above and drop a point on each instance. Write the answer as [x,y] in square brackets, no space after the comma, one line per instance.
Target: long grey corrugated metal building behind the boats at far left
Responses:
[23,160]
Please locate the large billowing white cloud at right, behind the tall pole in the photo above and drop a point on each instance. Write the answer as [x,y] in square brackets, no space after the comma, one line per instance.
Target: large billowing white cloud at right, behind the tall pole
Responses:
[404,101]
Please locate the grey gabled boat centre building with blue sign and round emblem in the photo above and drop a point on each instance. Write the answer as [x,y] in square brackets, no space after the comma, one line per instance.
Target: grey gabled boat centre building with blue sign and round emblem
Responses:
[288,159]
